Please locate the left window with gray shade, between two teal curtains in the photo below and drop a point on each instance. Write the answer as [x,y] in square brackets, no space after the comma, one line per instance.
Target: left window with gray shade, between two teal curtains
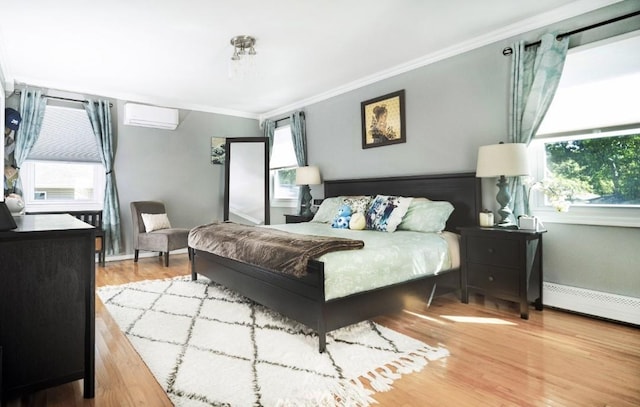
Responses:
[63,170]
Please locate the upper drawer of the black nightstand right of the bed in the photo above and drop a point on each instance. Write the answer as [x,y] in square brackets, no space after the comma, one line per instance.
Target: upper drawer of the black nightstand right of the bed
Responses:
[497,252]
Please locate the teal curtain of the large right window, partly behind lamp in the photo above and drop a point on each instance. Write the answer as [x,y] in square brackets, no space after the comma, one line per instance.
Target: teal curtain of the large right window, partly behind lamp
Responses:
[535,74]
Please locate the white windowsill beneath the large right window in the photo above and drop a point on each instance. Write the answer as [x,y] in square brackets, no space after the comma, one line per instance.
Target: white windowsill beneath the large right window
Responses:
[615,217]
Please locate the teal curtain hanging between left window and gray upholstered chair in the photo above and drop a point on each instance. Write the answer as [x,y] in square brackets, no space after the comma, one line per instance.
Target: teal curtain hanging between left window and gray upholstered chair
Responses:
[99,113]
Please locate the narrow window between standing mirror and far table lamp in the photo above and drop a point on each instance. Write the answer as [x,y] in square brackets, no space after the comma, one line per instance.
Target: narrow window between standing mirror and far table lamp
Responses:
[282,165]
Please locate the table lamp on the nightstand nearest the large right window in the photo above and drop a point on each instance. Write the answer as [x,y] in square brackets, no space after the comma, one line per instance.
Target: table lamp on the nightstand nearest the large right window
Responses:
[503,160]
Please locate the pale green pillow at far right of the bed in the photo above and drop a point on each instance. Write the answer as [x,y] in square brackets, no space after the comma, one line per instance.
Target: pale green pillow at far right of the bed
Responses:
[426,216]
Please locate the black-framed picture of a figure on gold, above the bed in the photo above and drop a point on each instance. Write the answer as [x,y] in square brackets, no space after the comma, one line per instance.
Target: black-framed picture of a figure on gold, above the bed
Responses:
[383,120]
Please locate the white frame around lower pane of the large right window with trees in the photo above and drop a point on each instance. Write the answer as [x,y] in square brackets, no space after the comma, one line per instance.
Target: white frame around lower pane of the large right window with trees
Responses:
[597,214]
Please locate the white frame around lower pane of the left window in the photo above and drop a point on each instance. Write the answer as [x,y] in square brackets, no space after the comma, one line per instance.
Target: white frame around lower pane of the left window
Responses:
[27,176]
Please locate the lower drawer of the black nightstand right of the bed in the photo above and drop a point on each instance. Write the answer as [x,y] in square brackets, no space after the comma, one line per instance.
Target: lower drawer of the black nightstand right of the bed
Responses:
[496,281]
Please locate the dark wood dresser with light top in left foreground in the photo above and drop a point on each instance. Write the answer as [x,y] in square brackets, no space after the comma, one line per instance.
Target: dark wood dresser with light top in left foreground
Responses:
[47,304]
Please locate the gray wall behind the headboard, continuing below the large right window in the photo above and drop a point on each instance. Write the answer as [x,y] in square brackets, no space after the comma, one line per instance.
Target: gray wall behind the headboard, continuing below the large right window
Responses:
[453,107]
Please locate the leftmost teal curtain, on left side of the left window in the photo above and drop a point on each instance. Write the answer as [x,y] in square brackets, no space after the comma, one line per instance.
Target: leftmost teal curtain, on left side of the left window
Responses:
[32,107]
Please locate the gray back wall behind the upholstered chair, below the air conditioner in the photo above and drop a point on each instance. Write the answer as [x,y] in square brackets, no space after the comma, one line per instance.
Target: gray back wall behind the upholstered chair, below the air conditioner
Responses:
[174,166]
